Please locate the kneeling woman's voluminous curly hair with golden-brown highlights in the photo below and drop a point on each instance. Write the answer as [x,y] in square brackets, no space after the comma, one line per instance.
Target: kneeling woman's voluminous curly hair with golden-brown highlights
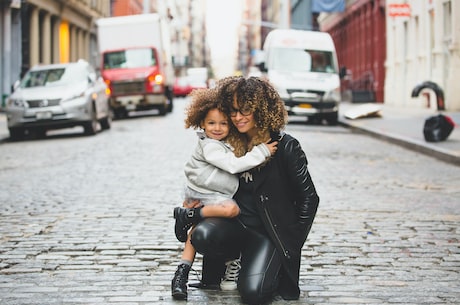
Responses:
[258,96]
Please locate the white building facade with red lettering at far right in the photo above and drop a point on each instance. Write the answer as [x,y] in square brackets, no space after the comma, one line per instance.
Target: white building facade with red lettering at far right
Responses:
[423,44]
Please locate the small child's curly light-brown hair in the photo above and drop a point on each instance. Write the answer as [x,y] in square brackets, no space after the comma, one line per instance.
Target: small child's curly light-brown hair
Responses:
[202,101]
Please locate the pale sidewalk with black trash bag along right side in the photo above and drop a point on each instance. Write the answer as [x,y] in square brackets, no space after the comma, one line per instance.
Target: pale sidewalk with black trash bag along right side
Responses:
[404,126]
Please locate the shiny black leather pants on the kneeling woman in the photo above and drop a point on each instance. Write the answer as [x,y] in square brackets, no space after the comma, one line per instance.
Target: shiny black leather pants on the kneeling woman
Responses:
[221,239]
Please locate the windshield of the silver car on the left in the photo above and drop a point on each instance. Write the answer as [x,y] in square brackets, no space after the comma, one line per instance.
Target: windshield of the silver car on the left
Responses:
[54,77]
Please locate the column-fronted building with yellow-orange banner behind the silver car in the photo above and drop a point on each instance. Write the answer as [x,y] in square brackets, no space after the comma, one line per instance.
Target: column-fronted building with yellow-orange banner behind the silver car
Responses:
[46,31]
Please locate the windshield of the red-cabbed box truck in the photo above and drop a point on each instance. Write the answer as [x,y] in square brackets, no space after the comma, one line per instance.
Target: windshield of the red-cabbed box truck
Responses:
[131,58]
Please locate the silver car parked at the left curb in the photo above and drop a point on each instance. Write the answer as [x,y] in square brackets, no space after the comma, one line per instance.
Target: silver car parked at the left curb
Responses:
[58,96]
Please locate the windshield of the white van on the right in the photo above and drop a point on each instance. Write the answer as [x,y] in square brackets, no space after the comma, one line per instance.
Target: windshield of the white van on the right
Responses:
[302,60]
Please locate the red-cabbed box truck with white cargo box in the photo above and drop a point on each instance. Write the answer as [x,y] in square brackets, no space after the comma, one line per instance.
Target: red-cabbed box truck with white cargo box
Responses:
[136,63]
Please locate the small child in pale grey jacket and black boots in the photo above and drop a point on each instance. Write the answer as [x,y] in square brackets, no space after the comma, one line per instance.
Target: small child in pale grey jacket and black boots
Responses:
[210,179]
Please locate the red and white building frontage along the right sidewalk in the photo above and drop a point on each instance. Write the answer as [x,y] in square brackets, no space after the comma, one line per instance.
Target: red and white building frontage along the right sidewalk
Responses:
[392,47]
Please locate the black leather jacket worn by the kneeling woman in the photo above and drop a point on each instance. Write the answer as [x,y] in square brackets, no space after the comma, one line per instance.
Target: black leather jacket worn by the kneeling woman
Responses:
[287,203]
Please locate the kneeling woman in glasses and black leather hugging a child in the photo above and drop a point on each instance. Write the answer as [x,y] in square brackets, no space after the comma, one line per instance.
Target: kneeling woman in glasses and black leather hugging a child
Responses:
[277,200]
